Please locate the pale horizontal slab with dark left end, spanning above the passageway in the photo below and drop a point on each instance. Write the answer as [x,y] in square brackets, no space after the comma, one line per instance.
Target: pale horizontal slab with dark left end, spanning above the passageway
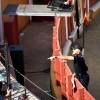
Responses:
[33,10]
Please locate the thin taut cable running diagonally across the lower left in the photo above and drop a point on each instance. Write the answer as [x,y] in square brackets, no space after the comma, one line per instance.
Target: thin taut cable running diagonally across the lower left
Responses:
[31,81]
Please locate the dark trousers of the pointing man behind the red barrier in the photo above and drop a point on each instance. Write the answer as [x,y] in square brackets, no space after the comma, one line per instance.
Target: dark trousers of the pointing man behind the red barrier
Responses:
[84,79]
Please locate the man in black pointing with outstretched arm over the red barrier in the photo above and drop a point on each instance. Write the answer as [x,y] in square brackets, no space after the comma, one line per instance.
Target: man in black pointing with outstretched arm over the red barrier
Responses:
[79,65]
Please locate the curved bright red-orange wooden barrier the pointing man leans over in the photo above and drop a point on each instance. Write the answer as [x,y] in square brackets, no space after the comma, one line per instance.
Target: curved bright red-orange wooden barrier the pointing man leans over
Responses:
[63,73]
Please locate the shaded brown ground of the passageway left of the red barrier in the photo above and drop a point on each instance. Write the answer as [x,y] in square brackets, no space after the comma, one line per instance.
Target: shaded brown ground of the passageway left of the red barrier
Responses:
[37,47]
